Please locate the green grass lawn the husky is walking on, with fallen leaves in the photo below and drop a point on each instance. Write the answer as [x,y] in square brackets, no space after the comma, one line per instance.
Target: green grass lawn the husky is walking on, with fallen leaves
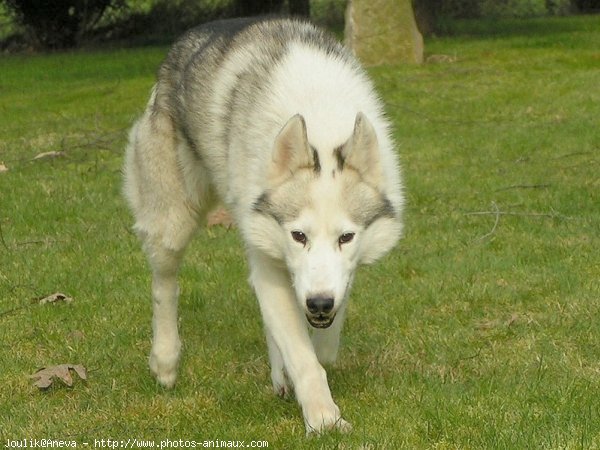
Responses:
[478,331]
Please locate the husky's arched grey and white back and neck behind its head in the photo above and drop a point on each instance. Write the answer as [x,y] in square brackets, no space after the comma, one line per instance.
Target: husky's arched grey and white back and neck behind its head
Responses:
[231,85]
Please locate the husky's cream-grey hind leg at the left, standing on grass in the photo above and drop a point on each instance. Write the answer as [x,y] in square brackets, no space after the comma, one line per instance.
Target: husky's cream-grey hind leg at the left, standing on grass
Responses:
[165,221]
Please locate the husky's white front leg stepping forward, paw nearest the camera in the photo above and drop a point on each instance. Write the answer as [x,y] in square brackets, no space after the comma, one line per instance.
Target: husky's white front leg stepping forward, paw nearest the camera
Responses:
[287,328]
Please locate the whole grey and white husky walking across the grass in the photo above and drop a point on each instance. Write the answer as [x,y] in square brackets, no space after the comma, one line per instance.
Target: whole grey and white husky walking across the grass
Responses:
[277,120]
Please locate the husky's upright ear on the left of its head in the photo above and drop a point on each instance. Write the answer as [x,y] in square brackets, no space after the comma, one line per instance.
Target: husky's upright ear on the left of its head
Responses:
[291,151]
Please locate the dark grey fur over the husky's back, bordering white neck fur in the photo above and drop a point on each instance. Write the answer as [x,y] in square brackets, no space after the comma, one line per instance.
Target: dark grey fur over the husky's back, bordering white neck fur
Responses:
[187,79]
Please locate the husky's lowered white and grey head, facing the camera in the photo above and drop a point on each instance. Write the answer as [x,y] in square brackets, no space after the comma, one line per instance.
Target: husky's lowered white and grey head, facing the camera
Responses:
[325,212]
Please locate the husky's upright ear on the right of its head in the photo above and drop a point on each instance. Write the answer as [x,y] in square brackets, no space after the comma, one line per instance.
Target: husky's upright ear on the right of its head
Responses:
[361,151]
